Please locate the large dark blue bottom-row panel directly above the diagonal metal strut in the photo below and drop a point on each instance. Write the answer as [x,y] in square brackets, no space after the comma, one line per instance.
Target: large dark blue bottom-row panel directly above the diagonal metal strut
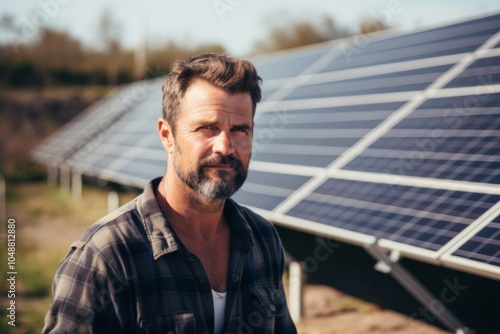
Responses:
[422,217]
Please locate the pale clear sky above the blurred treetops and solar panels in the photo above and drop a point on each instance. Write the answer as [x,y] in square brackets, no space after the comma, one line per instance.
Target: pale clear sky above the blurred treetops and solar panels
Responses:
[236,24]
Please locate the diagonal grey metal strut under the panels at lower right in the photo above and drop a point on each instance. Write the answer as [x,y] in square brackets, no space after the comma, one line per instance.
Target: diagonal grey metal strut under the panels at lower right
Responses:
[391,266]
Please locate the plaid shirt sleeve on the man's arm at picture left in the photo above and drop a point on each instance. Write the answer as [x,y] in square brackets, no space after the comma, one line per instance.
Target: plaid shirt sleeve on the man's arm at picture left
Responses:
[87,295]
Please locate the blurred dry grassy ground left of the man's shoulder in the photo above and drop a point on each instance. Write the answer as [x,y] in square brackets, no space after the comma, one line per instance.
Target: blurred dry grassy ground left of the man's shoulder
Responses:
[47,221]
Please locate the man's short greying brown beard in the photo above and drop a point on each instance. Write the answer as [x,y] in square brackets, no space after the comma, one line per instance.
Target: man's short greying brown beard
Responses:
[206,187]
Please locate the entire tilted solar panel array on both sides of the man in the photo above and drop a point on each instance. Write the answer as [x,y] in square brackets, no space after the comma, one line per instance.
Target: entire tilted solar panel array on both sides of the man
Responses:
[388,138]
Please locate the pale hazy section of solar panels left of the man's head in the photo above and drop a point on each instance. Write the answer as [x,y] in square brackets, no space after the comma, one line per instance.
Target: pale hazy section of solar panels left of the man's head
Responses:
[115,139]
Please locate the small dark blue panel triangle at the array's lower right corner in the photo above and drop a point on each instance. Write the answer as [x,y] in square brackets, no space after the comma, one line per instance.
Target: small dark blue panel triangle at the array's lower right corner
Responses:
[484,246]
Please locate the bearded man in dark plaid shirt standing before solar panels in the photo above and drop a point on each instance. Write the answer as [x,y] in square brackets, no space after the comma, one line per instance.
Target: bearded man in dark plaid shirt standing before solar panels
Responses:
[183,257]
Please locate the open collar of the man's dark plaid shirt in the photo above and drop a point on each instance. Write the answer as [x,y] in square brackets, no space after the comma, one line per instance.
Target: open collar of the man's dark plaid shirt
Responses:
[162,238]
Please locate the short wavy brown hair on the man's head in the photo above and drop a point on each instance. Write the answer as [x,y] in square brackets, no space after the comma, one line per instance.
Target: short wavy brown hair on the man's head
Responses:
[230,74]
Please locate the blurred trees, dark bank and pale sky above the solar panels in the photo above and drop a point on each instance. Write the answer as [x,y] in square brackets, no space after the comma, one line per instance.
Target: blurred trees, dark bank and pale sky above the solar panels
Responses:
[56,57]
